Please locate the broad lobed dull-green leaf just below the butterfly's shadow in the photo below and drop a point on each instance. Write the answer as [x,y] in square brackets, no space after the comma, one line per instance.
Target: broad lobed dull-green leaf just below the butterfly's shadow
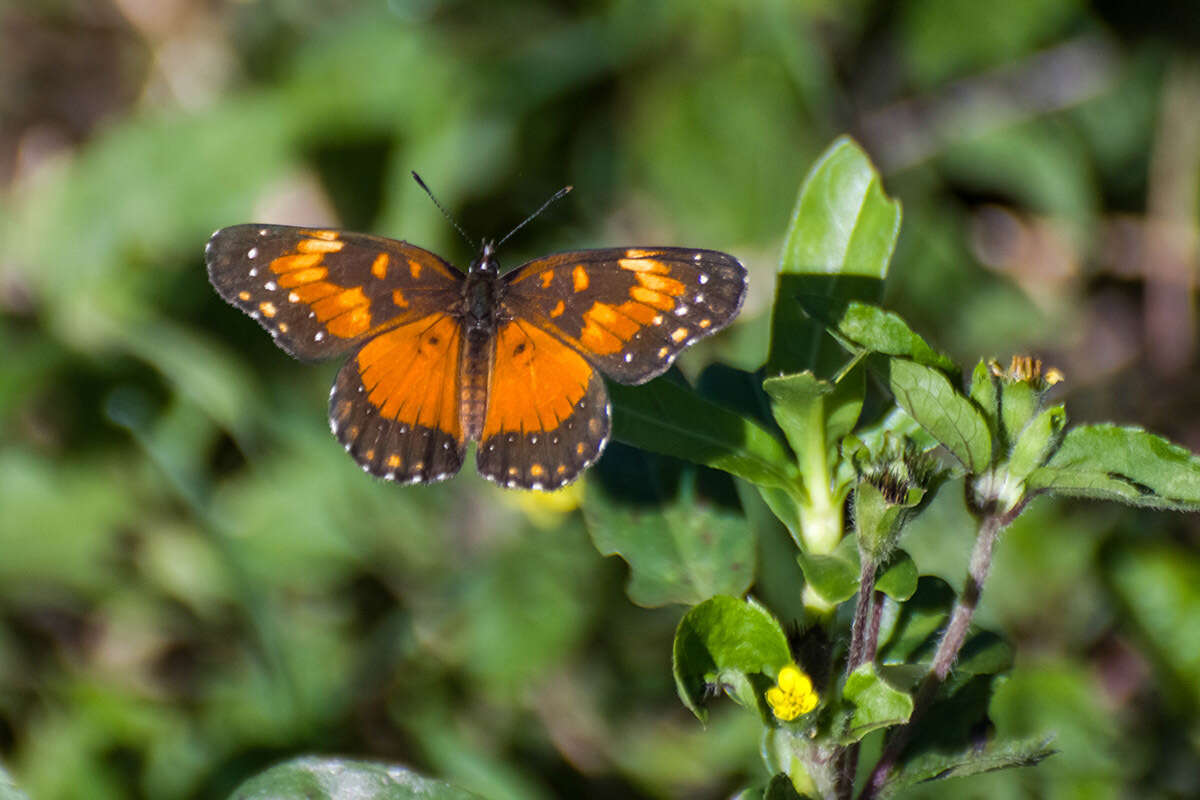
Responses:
[680,554]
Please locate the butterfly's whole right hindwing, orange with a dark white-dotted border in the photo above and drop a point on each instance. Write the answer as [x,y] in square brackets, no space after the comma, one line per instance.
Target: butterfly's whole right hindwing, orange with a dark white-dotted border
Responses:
[548,412]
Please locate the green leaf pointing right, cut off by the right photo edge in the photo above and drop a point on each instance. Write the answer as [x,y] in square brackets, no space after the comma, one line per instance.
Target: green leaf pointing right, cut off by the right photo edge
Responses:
[1107,462]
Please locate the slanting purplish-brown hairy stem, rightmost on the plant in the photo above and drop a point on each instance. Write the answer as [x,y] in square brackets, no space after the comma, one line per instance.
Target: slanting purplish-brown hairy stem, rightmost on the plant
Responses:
[947,651]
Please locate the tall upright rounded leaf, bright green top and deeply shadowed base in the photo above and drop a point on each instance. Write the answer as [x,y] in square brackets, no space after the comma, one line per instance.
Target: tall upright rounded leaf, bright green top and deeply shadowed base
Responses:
[839,245]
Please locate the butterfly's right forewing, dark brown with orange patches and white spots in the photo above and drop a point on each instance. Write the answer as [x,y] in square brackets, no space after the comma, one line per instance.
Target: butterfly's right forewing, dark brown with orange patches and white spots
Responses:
[631,311]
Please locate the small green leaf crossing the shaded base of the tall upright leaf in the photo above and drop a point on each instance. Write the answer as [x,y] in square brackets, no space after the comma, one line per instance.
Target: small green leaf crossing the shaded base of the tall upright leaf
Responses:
[863,327]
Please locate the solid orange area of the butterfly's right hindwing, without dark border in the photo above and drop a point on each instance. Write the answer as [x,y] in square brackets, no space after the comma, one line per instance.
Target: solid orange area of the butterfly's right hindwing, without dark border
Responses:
[537,381]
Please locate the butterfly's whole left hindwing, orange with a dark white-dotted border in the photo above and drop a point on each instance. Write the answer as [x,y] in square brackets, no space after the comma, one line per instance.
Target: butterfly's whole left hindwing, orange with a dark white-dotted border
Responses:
[395,405]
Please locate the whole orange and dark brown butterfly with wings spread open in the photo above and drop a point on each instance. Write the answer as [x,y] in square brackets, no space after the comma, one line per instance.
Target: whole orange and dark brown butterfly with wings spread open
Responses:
[440,358]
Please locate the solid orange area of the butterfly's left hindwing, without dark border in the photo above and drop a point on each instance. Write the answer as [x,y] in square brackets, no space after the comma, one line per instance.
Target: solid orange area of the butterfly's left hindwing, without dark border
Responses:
[411,374]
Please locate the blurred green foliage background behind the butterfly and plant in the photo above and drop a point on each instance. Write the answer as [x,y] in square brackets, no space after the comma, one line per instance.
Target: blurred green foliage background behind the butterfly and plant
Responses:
[196,582]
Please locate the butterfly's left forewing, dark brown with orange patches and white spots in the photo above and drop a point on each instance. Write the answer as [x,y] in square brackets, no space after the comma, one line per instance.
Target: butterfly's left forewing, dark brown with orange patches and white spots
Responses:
[321,293]
